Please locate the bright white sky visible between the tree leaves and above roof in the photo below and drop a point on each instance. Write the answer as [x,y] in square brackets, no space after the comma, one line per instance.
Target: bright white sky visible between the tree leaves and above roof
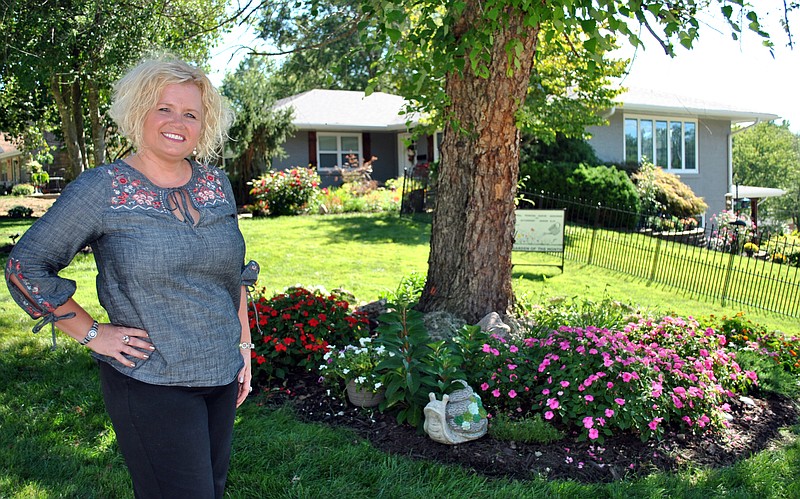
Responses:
[741,73]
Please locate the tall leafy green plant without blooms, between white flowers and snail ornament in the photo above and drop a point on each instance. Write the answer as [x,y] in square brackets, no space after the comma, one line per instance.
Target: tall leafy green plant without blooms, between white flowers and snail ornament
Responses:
[415,366]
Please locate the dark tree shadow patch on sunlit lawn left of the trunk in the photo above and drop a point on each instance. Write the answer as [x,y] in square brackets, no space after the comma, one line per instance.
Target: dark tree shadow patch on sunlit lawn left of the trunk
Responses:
[387,228]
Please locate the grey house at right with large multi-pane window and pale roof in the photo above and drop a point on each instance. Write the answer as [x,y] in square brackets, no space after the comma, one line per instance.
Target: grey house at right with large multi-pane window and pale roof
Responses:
[686,136]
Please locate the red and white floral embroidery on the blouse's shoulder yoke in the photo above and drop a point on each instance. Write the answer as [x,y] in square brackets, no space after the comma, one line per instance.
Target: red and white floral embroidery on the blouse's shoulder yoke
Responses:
[133,193]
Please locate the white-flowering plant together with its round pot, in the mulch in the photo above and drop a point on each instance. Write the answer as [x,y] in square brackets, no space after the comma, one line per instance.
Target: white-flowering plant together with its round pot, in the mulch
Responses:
[356,365]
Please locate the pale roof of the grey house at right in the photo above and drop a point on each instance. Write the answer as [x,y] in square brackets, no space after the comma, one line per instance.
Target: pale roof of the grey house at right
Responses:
[656,102]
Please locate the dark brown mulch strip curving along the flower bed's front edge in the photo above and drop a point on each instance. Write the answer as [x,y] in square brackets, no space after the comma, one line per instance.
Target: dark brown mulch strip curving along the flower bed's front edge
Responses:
[755,427]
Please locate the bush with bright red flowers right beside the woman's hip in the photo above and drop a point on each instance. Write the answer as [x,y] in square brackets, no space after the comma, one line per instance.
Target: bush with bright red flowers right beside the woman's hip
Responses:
[296,328]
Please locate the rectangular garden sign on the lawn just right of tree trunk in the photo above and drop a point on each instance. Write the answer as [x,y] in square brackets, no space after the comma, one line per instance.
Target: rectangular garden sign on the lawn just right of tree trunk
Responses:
[539,231]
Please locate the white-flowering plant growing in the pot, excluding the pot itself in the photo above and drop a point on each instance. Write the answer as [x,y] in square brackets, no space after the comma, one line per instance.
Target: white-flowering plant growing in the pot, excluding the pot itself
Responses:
[357,363]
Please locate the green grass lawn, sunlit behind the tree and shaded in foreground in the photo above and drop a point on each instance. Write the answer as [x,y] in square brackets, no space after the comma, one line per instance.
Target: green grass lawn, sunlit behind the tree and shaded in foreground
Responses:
[56,440]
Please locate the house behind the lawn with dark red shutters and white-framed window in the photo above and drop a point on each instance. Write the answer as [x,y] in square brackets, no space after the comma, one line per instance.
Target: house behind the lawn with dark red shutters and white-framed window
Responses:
[334,126]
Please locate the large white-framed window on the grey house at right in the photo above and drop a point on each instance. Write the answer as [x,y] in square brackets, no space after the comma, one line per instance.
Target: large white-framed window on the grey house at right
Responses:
[668,143]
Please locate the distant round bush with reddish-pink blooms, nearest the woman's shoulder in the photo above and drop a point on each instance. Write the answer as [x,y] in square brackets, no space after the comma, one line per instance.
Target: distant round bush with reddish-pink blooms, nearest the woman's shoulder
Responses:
[285,192]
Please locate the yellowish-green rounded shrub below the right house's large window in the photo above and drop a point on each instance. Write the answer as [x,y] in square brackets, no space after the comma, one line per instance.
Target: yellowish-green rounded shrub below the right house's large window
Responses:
[660,190]
